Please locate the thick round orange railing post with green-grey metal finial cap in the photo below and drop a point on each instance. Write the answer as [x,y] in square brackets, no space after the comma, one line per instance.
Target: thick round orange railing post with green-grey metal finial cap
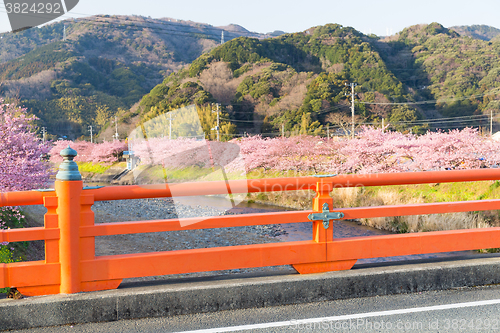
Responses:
[68,188]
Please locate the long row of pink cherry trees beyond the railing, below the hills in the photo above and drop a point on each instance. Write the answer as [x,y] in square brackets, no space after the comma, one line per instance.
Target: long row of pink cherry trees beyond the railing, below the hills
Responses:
[372,151]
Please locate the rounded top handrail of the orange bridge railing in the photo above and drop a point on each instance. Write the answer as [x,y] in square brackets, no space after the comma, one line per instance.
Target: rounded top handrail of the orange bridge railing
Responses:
[125,192]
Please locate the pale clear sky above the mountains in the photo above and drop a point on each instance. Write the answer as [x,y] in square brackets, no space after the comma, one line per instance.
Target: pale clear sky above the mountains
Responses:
[381,17]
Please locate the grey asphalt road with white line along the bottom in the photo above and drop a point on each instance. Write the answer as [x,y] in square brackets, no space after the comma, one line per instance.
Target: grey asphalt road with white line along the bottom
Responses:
[459,310]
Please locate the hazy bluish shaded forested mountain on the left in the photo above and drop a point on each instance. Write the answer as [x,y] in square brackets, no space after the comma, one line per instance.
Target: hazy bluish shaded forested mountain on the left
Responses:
[104,65]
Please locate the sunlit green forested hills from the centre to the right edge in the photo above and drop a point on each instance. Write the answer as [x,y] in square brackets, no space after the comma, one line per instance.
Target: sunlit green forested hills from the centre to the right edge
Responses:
[298,81]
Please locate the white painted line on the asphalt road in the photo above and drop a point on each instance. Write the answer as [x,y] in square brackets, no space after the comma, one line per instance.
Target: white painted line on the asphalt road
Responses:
[346,317]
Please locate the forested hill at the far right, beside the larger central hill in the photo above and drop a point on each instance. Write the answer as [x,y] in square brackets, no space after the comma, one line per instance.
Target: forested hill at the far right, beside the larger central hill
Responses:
[460,73]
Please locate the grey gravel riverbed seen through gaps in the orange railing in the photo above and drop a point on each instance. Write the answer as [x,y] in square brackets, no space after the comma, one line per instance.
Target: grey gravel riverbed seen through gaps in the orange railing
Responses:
[206,207]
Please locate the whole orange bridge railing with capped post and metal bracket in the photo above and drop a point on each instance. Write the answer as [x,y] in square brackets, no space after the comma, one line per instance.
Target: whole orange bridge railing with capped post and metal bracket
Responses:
[71,266]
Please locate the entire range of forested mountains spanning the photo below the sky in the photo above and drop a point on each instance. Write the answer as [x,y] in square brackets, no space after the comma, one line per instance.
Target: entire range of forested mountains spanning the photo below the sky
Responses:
[294,82]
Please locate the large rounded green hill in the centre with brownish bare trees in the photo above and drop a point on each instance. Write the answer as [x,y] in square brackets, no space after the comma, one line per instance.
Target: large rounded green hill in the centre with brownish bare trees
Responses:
[295,80]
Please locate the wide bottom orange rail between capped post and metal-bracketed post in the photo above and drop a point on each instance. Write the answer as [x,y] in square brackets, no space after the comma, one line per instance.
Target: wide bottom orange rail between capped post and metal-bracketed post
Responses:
[199,260]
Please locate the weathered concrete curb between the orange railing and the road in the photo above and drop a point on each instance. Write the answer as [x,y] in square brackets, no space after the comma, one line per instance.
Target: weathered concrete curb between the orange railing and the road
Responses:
[186,296]
